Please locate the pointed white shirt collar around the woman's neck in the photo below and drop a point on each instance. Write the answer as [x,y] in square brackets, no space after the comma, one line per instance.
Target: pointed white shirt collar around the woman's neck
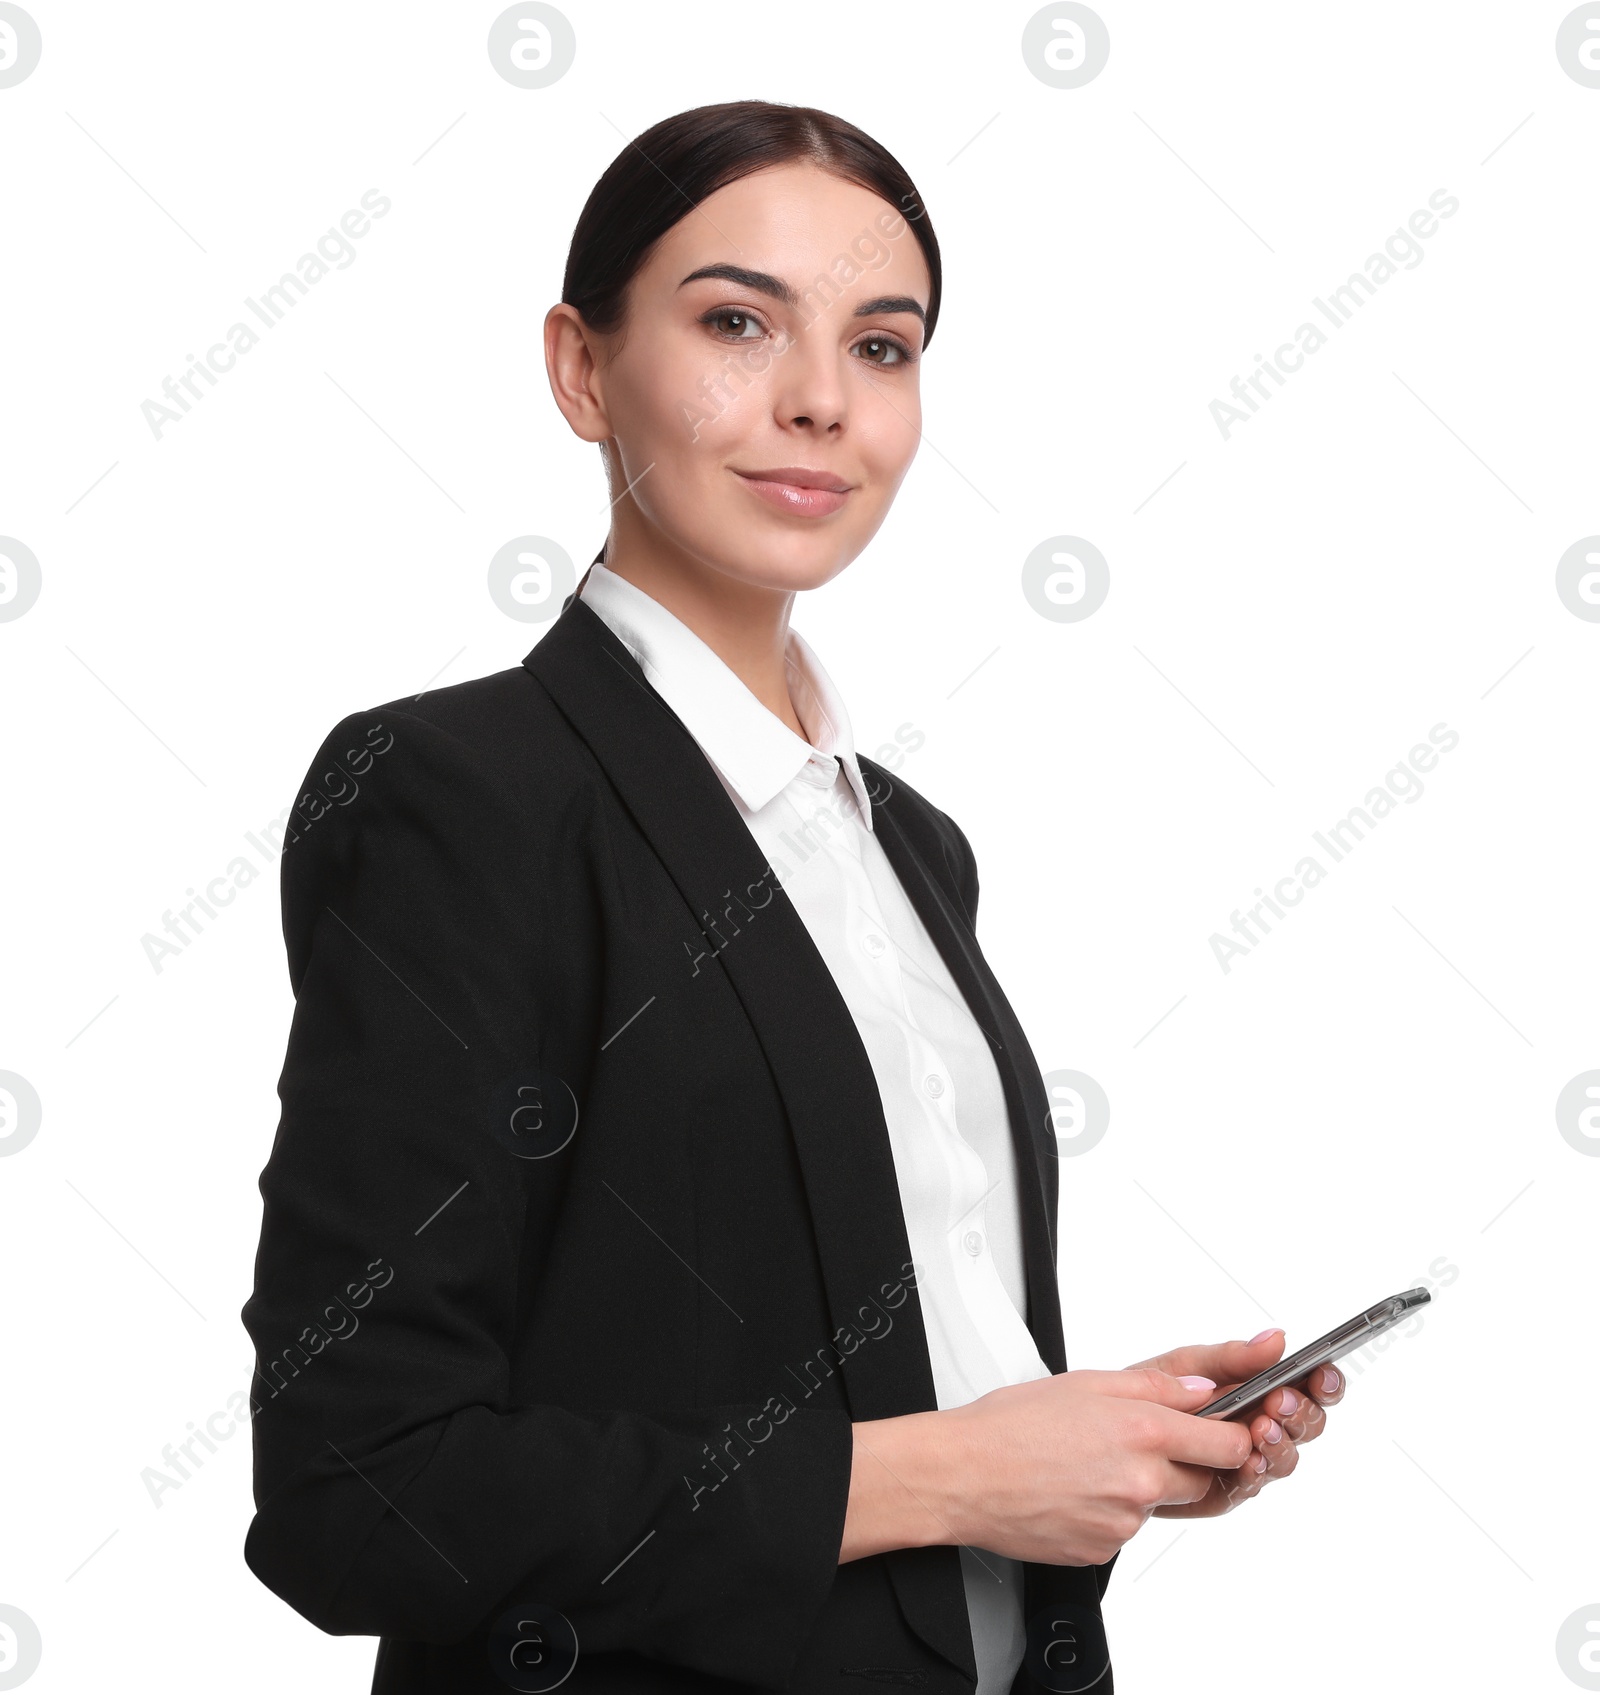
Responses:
[757,755]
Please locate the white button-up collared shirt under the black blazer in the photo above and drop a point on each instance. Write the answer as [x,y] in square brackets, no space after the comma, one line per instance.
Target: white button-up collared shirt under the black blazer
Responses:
[809,811]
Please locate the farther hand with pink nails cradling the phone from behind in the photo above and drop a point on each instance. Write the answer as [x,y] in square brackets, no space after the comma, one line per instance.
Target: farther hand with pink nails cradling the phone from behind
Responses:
[1279,1426]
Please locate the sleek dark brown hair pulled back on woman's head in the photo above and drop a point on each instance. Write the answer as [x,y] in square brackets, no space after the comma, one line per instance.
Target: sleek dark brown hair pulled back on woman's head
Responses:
[684,160]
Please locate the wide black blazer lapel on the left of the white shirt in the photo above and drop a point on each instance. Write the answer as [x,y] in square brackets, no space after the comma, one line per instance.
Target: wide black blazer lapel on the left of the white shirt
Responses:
[796,1009]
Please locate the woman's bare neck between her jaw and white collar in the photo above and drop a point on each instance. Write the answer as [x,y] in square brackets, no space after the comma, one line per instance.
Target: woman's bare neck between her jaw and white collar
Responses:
[745,625]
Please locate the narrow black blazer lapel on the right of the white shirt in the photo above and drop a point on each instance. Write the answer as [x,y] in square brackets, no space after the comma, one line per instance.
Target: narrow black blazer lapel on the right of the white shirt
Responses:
[1026,1103]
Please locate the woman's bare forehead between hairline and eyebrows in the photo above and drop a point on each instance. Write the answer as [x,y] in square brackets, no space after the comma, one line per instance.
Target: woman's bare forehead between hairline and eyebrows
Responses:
[794,221]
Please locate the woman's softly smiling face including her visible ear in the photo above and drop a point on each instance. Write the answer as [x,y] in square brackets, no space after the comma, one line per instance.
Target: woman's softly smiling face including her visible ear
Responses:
[762,399]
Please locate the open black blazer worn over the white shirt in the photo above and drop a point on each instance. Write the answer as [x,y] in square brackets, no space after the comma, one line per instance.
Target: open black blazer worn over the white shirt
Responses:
[513,1367]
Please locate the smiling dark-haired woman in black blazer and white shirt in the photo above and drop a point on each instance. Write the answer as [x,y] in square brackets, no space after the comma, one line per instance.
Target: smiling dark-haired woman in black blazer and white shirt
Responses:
[658,1257]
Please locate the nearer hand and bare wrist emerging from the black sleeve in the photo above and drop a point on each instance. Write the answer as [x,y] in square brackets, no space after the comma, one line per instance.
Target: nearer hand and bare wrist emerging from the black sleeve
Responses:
[1062,1470]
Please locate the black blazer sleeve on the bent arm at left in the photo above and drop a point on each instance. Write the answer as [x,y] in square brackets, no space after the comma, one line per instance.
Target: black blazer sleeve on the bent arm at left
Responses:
[399,1491]
